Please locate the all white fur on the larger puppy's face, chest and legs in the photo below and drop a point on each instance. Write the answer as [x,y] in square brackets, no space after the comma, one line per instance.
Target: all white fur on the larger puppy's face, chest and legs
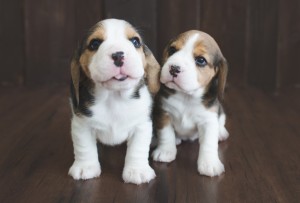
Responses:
[116,116]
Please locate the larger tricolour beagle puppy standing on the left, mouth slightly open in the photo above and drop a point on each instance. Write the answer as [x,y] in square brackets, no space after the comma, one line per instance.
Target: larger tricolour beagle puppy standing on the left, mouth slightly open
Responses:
[114,79]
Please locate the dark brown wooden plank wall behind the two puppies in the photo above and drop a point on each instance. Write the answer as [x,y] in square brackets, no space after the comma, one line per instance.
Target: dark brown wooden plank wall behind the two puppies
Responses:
[260,38]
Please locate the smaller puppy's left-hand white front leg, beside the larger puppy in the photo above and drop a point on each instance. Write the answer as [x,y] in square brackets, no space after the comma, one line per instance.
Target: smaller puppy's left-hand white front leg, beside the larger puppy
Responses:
[166,150]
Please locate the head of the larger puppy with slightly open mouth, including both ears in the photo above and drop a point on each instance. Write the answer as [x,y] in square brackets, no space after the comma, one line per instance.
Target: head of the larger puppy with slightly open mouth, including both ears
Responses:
[114,56]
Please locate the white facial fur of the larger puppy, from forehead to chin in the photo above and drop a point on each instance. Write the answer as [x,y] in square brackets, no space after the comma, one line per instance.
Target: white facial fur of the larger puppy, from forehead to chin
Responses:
[102,67]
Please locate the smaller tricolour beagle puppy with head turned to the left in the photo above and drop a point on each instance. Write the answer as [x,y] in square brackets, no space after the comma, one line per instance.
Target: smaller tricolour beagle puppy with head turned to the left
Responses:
[188,104]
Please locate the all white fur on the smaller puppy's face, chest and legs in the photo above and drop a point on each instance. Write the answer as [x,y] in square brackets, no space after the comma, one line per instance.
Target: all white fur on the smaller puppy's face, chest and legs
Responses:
[190,119]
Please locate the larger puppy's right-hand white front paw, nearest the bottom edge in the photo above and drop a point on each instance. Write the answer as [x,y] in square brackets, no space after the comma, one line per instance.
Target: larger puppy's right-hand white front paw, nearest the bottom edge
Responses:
[138,175]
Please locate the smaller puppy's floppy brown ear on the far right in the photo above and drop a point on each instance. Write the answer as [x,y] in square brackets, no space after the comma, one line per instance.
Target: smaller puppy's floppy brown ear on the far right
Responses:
[222,77]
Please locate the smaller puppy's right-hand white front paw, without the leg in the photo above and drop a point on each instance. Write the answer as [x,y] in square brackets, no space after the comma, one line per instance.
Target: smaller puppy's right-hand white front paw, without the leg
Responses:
[210,166]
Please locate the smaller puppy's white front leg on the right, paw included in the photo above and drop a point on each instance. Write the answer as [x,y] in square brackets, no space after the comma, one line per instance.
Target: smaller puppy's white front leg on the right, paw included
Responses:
[208,160]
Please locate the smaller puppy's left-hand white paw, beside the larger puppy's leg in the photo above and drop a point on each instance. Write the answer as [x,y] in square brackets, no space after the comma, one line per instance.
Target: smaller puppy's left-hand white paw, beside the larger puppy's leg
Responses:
[164,154]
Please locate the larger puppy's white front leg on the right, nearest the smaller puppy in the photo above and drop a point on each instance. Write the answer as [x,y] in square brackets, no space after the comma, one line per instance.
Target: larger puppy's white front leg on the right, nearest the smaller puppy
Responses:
[137,169]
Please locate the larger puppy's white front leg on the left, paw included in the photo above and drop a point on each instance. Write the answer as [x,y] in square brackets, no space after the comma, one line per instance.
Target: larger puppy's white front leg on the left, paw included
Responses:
[86,164]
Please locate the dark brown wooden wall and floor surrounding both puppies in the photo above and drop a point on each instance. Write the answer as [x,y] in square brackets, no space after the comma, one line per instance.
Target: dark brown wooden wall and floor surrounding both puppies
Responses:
[261,41]
